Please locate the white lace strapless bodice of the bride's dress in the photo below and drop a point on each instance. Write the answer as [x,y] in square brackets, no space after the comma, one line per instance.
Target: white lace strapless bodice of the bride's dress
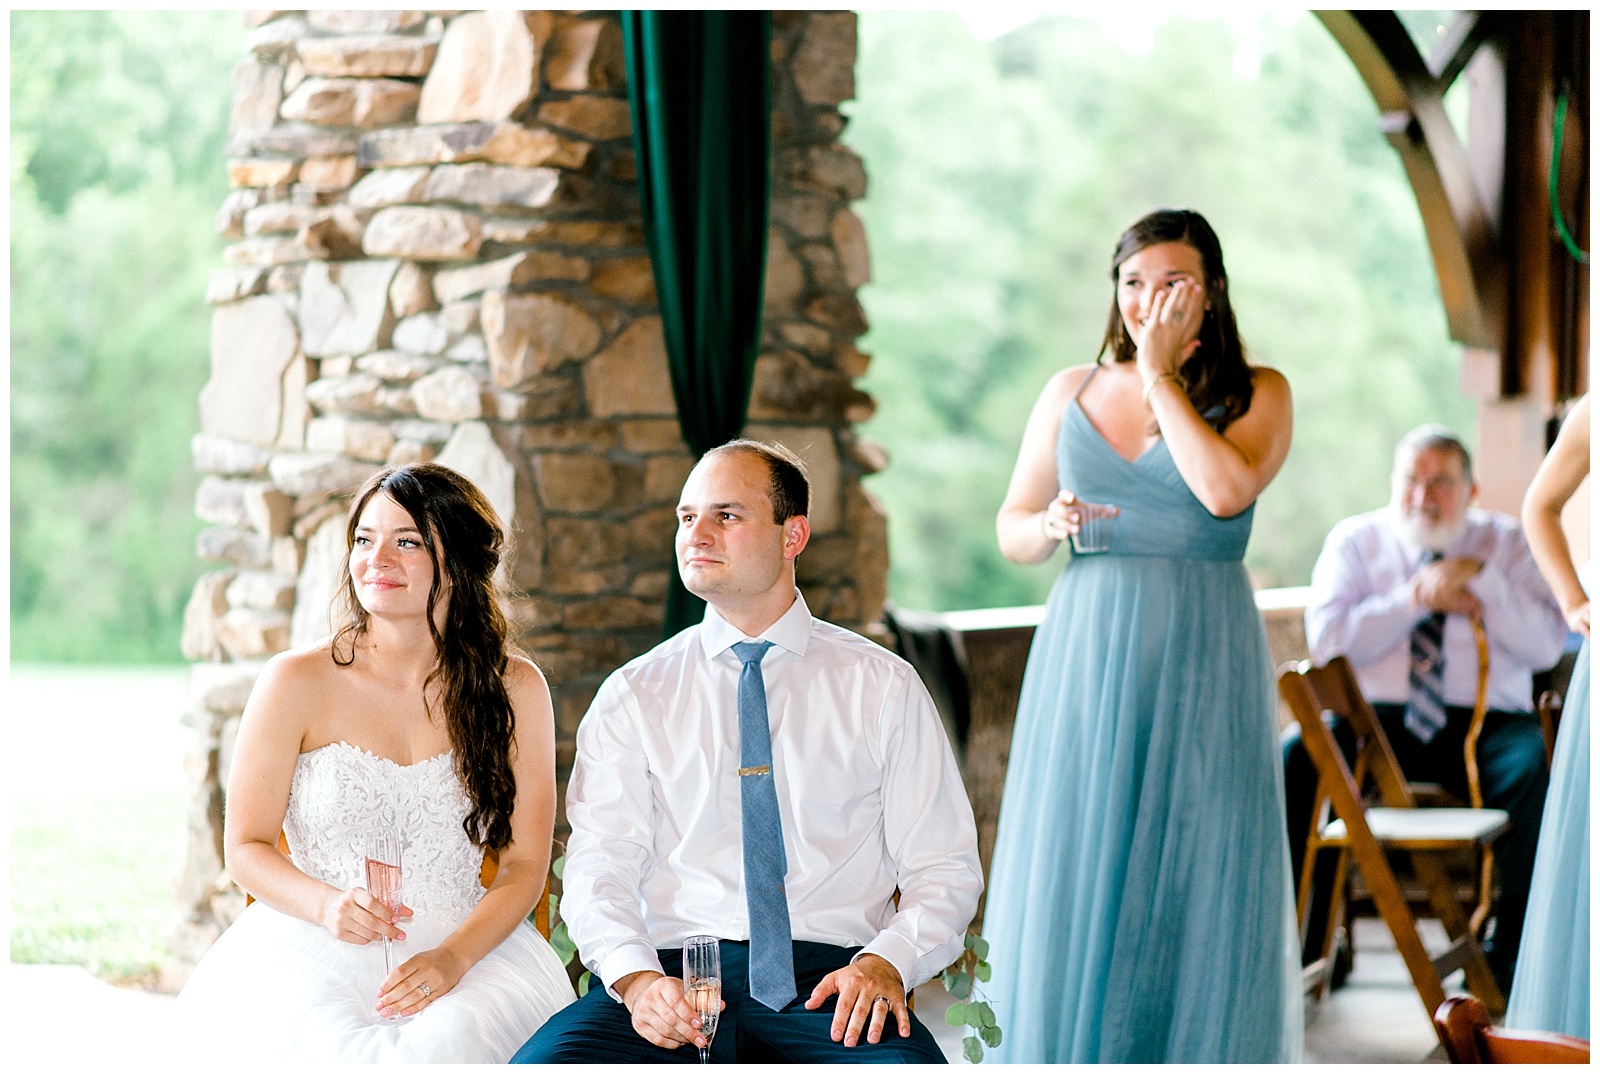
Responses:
[342,791]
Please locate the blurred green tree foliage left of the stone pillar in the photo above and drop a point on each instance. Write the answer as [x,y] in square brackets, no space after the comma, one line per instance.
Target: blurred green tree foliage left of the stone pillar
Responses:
[118,169]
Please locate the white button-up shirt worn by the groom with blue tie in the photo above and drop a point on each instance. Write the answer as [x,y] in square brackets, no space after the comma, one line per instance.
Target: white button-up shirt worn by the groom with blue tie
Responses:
[868,793]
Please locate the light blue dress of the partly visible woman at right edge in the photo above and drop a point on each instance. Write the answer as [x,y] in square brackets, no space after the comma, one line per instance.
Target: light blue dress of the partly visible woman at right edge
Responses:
[1551,990]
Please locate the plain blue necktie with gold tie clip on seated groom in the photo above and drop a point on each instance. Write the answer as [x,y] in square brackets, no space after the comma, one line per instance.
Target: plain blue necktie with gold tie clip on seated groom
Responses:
[772,948]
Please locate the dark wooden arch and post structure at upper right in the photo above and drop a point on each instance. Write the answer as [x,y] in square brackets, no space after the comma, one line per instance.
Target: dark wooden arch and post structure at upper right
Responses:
[1514,295]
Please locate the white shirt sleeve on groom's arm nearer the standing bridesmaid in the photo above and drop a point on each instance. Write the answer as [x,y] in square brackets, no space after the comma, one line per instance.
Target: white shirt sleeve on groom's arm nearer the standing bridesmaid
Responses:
[929,835]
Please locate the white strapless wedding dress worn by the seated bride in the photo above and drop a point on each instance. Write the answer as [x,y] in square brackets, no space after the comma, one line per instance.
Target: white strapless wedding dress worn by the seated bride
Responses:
[276,988]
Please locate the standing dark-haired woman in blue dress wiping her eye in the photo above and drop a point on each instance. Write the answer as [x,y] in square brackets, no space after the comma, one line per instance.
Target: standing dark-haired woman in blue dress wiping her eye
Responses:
[1140,902]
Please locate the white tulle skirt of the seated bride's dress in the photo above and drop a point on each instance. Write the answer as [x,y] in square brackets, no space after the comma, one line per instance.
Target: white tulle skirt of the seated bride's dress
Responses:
[279,990]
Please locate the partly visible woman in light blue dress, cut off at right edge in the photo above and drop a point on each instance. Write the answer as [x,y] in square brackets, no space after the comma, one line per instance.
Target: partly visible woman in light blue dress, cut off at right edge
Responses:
[1551,988]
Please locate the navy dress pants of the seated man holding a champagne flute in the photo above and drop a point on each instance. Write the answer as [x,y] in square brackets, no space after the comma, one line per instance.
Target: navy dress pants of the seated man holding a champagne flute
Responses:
[601,1030]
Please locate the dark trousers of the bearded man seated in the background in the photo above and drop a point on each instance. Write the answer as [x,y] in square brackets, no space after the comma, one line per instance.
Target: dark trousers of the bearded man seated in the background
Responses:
[1513,774]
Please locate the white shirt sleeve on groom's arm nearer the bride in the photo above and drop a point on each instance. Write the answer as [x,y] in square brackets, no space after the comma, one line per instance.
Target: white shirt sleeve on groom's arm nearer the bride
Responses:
[610,793]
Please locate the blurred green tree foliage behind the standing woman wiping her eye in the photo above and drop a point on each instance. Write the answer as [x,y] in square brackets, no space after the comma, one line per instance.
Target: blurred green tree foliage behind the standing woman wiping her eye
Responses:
[1001,177]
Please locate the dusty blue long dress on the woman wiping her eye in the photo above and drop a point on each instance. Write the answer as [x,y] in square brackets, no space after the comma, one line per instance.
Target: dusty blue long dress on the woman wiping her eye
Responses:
[1140,902]
